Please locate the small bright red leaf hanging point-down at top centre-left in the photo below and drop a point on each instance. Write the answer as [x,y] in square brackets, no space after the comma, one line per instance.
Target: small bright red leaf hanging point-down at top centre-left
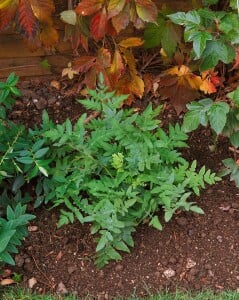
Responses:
[98,25]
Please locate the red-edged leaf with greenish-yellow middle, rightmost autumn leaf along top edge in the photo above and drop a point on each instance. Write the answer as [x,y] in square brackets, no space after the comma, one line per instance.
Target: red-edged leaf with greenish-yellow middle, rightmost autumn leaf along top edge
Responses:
[146,10]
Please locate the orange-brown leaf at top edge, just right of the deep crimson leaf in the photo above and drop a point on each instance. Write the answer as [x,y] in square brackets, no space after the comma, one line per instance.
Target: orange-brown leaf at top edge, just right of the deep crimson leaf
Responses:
[43,10]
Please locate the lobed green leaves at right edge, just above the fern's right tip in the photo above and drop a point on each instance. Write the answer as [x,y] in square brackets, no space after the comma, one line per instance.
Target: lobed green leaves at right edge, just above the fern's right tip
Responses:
[223,118]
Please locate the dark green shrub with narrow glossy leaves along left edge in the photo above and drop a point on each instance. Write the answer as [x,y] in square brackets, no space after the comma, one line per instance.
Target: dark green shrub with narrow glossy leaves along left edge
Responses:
[17,165]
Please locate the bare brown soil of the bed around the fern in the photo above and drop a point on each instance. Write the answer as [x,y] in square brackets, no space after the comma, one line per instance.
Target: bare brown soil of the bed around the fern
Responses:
[192,252]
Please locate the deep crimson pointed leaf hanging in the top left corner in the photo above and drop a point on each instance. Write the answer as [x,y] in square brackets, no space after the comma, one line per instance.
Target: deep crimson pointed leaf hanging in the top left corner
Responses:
[27,22]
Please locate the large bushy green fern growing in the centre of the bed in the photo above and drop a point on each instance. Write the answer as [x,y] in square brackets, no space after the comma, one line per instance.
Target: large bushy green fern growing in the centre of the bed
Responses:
[116,171]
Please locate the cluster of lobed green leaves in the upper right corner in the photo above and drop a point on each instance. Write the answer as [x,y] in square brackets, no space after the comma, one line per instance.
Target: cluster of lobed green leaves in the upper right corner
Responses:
[212,34]
